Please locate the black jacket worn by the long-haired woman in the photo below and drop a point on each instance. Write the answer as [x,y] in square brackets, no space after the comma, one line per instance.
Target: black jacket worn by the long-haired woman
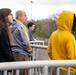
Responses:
[5,47]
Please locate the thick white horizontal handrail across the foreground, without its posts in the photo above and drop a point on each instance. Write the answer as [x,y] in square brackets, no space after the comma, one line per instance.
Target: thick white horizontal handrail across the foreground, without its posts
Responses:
[33,64]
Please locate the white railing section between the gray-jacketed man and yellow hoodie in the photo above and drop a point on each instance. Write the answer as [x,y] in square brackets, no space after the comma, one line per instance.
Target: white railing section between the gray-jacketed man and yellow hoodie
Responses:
[36,48]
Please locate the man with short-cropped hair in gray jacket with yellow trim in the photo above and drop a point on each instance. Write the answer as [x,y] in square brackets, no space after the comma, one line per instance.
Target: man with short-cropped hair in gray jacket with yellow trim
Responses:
[21,45]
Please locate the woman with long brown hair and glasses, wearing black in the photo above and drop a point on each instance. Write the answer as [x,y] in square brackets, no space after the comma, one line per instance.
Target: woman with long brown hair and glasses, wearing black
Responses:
[6,18]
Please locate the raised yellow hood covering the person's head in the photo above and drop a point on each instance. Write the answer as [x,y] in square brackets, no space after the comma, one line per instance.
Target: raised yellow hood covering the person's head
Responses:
[65,21]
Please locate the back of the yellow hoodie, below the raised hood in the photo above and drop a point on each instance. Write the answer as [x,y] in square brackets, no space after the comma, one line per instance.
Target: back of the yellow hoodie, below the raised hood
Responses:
[59,47]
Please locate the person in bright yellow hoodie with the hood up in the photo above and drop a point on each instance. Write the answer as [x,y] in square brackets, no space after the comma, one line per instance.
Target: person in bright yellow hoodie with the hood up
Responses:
[61,44]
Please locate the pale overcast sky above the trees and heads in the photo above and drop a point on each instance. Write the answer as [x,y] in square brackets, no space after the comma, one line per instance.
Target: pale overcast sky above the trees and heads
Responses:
[40,8]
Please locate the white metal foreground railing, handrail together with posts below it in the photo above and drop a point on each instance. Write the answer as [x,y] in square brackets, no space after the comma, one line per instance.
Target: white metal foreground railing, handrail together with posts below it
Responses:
[38,64]
